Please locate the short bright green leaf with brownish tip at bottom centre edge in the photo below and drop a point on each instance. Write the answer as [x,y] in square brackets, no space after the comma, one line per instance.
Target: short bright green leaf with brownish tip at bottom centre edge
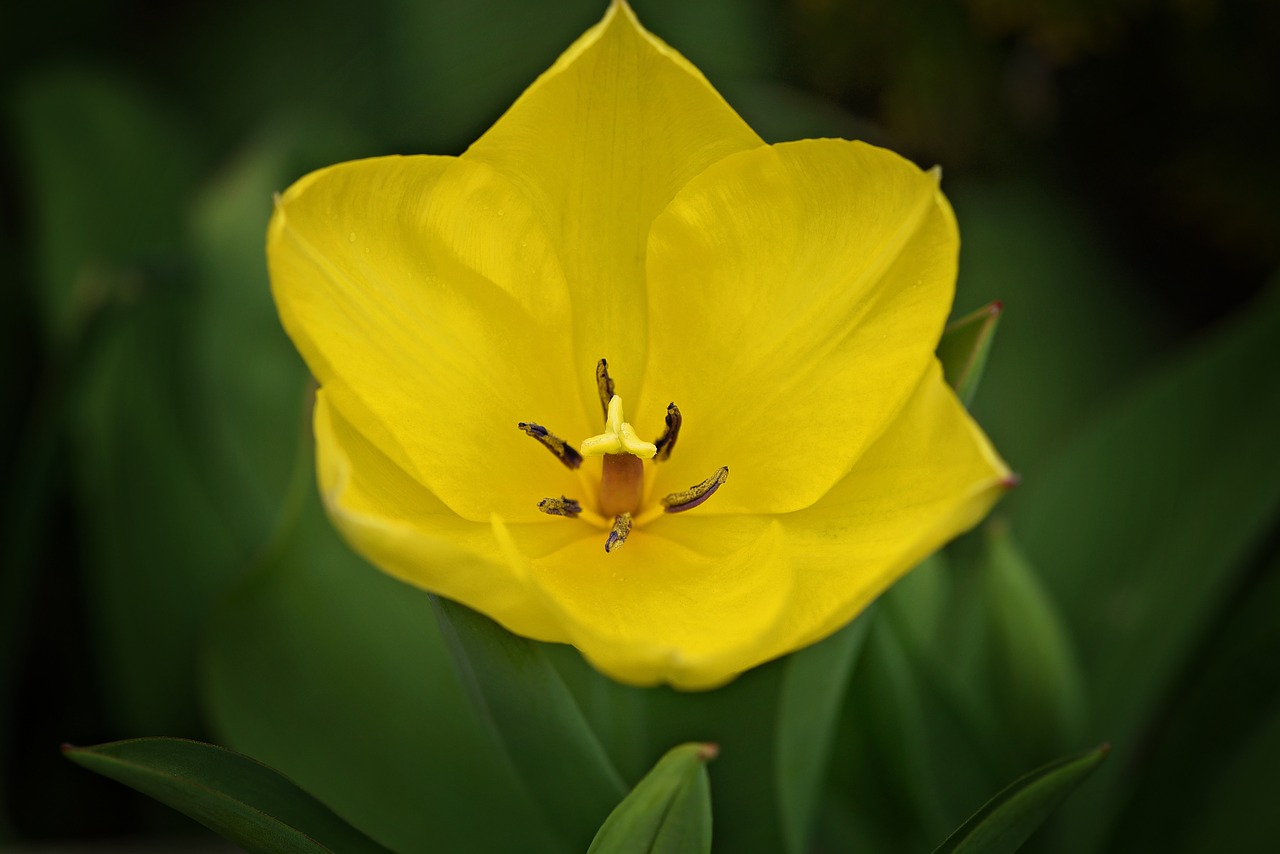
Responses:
[669,812]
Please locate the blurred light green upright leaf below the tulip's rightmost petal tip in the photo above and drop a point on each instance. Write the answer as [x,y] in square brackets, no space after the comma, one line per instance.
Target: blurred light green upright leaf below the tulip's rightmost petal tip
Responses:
[1037,686]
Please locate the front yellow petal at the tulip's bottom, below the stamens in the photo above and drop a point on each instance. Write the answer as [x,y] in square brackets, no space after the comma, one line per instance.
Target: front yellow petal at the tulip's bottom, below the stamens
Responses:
[659,610]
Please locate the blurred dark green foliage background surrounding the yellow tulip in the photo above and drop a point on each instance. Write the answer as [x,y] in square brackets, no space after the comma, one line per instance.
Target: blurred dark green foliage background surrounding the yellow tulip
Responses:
[164,569]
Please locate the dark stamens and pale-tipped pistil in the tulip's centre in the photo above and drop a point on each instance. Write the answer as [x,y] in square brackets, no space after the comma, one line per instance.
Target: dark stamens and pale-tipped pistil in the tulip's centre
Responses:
[621,492]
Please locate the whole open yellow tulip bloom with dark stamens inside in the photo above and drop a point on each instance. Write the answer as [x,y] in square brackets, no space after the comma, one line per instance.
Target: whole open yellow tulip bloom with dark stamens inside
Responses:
[788,299]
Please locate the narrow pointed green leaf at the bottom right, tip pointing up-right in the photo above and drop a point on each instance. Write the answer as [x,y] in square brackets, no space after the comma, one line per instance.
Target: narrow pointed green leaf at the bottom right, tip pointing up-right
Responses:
[1008,820]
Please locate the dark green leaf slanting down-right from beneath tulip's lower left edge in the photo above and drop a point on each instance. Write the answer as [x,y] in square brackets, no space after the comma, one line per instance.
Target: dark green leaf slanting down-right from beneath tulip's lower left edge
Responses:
[527,707]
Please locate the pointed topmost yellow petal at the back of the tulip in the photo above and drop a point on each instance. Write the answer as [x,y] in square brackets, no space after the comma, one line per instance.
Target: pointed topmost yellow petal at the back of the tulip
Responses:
[600,144]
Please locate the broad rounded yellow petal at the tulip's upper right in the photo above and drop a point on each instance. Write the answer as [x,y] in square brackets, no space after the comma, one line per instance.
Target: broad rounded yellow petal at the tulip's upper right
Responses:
[797,294]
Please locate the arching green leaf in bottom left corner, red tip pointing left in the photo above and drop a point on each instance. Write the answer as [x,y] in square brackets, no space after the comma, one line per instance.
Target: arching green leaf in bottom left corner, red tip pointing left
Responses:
[234,796]
